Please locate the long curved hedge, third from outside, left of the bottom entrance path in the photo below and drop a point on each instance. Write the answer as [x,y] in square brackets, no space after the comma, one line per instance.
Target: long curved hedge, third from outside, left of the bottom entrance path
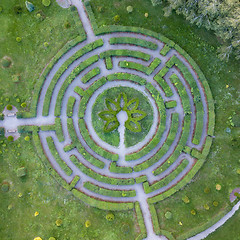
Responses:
[100,178]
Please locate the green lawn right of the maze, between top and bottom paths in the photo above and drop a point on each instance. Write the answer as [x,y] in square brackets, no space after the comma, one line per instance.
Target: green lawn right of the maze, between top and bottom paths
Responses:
[222,163]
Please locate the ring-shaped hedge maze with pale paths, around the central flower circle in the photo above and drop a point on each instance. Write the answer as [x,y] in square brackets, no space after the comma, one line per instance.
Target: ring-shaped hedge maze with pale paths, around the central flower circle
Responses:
[181,139]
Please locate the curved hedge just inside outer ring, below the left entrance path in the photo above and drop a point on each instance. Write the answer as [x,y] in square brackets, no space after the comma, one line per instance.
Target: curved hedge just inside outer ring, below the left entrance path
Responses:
[63,165]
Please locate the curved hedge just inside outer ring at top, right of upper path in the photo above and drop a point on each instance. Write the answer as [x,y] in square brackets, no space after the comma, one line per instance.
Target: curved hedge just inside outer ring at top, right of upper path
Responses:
[133,41]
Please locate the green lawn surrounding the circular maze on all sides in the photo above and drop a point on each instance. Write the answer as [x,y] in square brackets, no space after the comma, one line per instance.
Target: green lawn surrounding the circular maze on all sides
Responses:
[41,193]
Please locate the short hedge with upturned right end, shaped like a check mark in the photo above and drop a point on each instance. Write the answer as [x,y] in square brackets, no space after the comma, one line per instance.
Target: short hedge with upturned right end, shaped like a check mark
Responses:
[139,67]
